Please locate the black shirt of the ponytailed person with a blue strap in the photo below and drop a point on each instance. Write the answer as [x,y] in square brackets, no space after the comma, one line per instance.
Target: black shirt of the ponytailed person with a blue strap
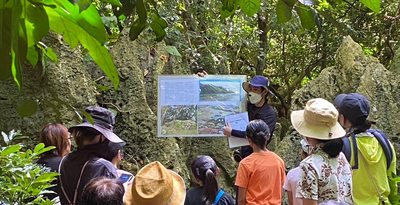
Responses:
[196,196]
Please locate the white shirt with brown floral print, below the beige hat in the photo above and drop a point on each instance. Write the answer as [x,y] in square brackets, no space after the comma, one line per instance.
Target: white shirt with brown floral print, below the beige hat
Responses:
[323,178]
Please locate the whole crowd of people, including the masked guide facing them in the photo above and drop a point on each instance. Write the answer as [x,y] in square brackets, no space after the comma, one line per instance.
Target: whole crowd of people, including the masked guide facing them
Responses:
[344,160]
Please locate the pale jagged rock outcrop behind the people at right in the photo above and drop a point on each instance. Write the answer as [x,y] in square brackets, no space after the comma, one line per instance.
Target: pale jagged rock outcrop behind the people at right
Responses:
[353,72]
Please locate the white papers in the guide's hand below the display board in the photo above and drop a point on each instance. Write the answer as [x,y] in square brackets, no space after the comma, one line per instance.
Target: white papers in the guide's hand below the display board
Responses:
[237,122]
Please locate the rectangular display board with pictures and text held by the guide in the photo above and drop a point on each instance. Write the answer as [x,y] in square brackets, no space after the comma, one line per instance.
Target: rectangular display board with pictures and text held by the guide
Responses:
[192,106]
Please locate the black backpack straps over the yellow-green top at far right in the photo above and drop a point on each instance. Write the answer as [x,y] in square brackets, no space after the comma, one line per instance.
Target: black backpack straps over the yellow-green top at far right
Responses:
[379,135]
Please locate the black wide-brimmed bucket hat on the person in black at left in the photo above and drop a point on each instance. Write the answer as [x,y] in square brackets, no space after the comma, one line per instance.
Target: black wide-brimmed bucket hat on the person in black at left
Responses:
[103,122]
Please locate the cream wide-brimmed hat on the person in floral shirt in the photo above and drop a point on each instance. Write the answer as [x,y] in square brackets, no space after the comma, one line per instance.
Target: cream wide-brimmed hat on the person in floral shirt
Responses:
[318,120]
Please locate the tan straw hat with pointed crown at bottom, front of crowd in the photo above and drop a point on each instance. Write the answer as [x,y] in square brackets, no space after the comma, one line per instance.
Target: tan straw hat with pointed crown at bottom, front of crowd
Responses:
[156,185]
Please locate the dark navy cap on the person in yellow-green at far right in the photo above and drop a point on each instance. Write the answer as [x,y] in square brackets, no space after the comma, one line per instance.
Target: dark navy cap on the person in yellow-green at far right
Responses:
[353,106]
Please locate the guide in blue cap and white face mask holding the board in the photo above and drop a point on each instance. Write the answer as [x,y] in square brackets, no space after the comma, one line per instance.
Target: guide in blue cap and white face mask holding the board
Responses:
[258,109]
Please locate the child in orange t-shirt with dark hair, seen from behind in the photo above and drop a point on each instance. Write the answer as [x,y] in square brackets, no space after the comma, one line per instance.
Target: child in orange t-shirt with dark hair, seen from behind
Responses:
[261,175]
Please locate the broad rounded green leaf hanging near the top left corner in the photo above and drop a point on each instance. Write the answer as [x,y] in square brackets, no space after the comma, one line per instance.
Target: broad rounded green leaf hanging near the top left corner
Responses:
[36,23]
